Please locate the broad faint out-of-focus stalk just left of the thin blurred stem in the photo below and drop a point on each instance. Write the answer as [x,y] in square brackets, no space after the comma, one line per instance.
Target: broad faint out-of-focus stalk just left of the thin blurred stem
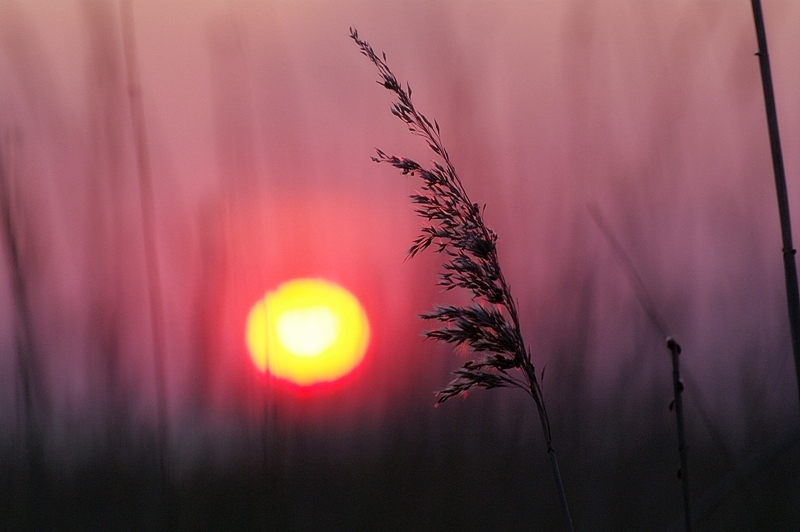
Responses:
[106,232]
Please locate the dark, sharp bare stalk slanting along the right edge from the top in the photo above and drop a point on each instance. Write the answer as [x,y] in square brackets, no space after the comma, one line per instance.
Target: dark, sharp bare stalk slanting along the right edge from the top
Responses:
[789,265]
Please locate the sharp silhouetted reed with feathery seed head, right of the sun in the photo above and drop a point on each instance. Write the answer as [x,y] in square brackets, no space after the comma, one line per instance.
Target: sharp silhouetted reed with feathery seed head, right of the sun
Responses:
[457,230]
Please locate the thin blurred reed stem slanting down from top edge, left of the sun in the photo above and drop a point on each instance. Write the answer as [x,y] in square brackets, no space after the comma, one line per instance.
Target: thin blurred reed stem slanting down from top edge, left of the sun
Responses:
[148,226]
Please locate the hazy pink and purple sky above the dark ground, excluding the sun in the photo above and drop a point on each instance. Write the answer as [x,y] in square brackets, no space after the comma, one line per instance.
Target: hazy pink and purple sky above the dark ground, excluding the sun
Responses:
[261,119]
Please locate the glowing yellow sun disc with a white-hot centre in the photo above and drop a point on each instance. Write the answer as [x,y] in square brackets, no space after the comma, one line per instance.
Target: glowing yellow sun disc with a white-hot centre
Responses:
[307,331]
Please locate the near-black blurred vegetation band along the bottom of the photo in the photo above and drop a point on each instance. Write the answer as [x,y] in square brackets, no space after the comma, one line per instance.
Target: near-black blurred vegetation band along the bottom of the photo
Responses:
[452,468]
